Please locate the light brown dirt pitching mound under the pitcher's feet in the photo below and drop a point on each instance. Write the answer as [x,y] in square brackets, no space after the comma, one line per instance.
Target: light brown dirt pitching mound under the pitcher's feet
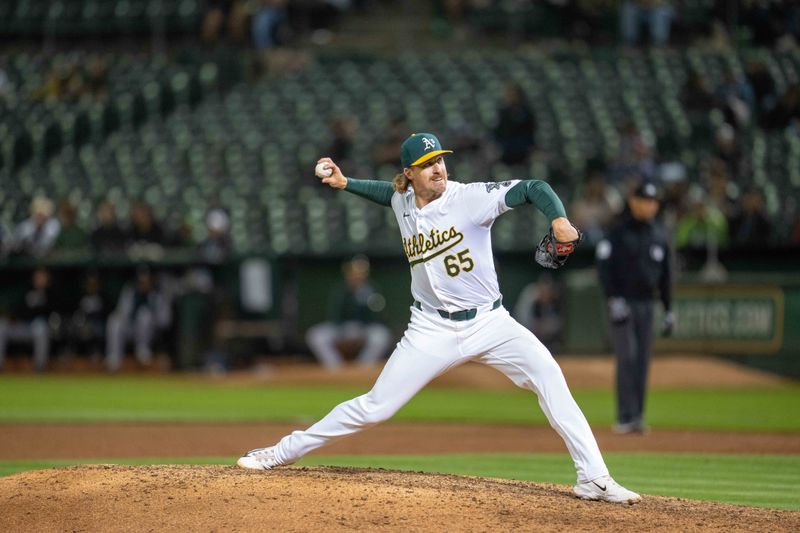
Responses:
[216,498]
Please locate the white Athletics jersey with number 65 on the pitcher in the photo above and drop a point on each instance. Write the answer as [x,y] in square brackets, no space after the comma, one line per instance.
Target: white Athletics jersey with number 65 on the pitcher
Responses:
[448,244]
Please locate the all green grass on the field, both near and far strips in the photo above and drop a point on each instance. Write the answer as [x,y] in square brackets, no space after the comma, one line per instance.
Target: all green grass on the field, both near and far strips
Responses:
[761,480]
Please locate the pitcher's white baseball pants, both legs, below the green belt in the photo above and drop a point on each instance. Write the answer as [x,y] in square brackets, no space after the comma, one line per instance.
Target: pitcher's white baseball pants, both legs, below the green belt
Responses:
[431,346]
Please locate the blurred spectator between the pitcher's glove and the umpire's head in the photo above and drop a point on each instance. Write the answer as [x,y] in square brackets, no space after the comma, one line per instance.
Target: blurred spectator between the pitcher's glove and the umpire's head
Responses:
[596,207]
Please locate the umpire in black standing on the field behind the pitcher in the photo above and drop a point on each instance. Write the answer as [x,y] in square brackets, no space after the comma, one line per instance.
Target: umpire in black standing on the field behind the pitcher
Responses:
[632,262]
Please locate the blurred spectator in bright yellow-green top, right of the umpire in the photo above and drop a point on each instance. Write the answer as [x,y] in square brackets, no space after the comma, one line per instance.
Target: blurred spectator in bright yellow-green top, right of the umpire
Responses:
[703,226]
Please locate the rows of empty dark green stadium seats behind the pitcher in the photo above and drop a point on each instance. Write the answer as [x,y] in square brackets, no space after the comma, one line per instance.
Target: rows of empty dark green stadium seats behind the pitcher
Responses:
[165,137]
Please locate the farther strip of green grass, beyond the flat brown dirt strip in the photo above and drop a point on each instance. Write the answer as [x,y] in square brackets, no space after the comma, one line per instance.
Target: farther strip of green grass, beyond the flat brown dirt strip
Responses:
[98,399]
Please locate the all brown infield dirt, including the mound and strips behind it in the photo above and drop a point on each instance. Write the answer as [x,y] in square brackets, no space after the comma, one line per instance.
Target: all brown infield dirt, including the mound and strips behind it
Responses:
[218,498]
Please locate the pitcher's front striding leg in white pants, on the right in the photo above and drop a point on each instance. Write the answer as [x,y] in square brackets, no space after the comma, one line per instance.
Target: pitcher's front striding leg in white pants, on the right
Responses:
[529,365]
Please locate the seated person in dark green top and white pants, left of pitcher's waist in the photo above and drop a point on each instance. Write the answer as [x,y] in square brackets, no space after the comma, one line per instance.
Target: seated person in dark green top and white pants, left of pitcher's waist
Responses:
[352,316]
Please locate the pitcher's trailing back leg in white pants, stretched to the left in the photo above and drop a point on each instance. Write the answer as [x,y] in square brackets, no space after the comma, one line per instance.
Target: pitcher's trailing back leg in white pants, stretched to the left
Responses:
[406,372]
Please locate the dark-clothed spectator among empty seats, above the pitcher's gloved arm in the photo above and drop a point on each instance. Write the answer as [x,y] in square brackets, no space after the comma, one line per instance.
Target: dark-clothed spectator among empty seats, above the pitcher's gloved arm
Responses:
[516,127]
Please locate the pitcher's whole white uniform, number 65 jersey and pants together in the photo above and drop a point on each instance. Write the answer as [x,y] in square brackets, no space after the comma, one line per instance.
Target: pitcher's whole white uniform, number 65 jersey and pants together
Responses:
[456,317]
